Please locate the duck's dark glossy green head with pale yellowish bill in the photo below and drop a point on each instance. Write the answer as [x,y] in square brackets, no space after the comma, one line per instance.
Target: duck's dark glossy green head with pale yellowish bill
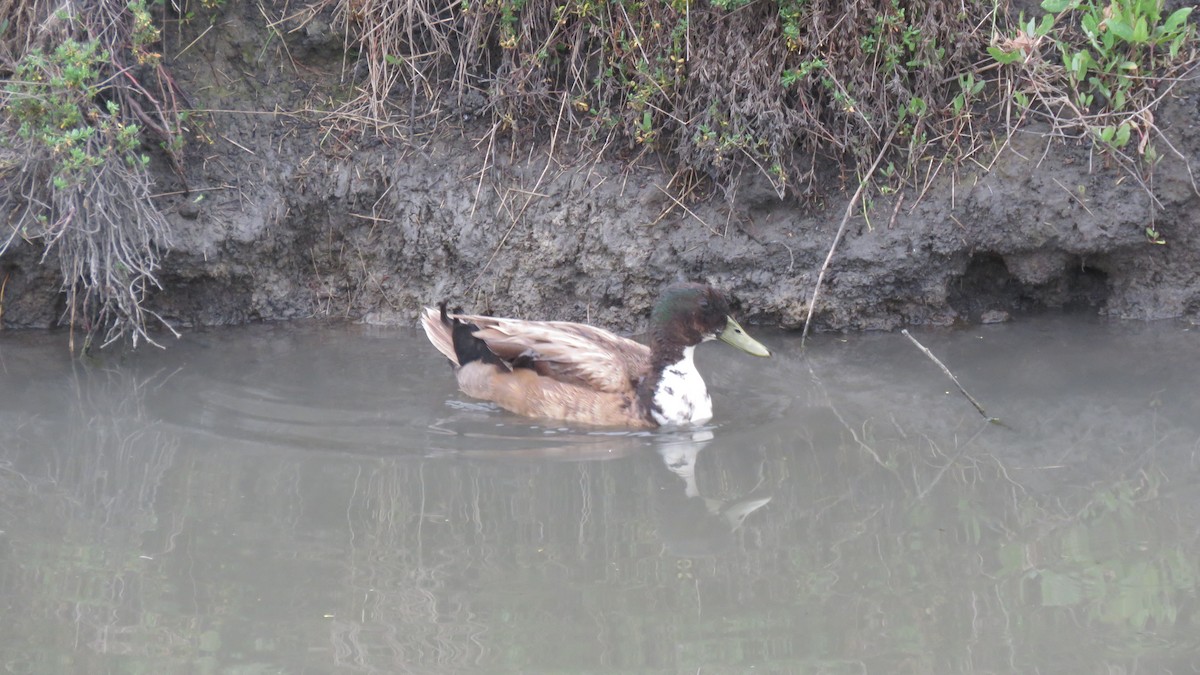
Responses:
[689,314]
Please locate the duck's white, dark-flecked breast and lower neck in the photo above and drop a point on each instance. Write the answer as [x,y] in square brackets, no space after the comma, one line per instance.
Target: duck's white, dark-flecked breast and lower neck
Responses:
[675,393]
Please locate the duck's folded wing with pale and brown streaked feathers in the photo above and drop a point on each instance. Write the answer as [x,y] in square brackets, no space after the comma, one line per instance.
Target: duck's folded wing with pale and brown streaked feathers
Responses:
[571,353]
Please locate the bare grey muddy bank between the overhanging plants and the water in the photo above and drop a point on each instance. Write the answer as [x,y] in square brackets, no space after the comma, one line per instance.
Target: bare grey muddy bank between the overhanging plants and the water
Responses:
[278,219]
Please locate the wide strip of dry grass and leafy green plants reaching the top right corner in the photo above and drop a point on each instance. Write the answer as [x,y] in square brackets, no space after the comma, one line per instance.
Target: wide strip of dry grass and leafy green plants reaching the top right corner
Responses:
[772,87]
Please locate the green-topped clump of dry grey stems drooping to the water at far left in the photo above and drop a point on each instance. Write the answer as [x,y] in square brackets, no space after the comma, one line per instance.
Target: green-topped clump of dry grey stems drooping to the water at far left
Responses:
[75,181]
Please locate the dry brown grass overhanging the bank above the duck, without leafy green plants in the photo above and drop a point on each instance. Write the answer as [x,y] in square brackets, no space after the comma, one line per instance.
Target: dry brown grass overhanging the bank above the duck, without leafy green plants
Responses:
[765,87]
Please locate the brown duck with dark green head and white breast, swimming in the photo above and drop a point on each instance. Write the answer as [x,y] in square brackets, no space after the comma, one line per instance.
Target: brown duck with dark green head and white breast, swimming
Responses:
[586,375]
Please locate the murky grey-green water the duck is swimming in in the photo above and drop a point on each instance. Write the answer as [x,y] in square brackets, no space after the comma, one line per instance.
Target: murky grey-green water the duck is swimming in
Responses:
[291,499]
